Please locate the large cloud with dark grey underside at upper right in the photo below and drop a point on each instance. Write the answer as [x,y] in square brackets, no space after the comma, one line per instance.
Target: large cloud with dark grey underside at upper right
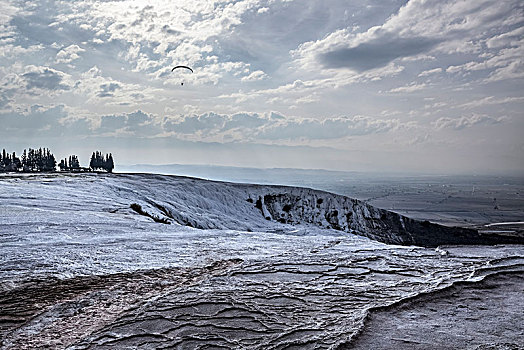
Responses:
[419,27]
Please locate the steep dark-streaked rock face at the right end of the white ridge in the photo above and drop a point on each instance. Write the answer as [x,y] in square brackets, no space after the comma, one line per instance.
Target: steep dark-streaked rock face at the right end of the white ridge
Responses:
[350,215]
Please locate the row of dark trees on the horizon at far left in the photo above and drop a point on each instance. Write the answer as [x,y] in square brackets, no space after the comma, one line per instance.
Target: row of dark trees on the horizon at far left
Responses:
[42,160]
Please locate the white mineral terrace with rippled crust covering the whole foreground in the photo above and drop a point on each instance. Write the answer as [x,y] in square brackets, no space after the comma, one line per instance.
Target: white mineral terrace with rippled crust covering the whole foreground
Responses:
[198,263]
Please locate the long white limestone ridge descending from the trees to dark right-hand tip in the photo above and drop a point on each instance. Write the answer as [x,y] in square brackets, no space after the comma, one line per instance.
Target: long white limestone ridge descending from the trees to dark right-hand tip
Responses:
[204,204]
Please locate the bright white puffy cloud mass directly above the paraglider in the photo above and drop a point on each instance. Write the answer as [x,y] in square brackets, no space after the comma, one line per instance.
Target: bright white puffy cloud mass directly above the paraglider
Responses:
[164,33]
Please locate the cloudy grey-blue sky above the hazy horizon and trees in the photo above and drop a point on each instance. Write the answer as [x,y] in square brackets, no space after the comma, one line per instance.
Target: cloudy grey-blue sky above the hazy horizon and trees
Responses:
[427,86]
